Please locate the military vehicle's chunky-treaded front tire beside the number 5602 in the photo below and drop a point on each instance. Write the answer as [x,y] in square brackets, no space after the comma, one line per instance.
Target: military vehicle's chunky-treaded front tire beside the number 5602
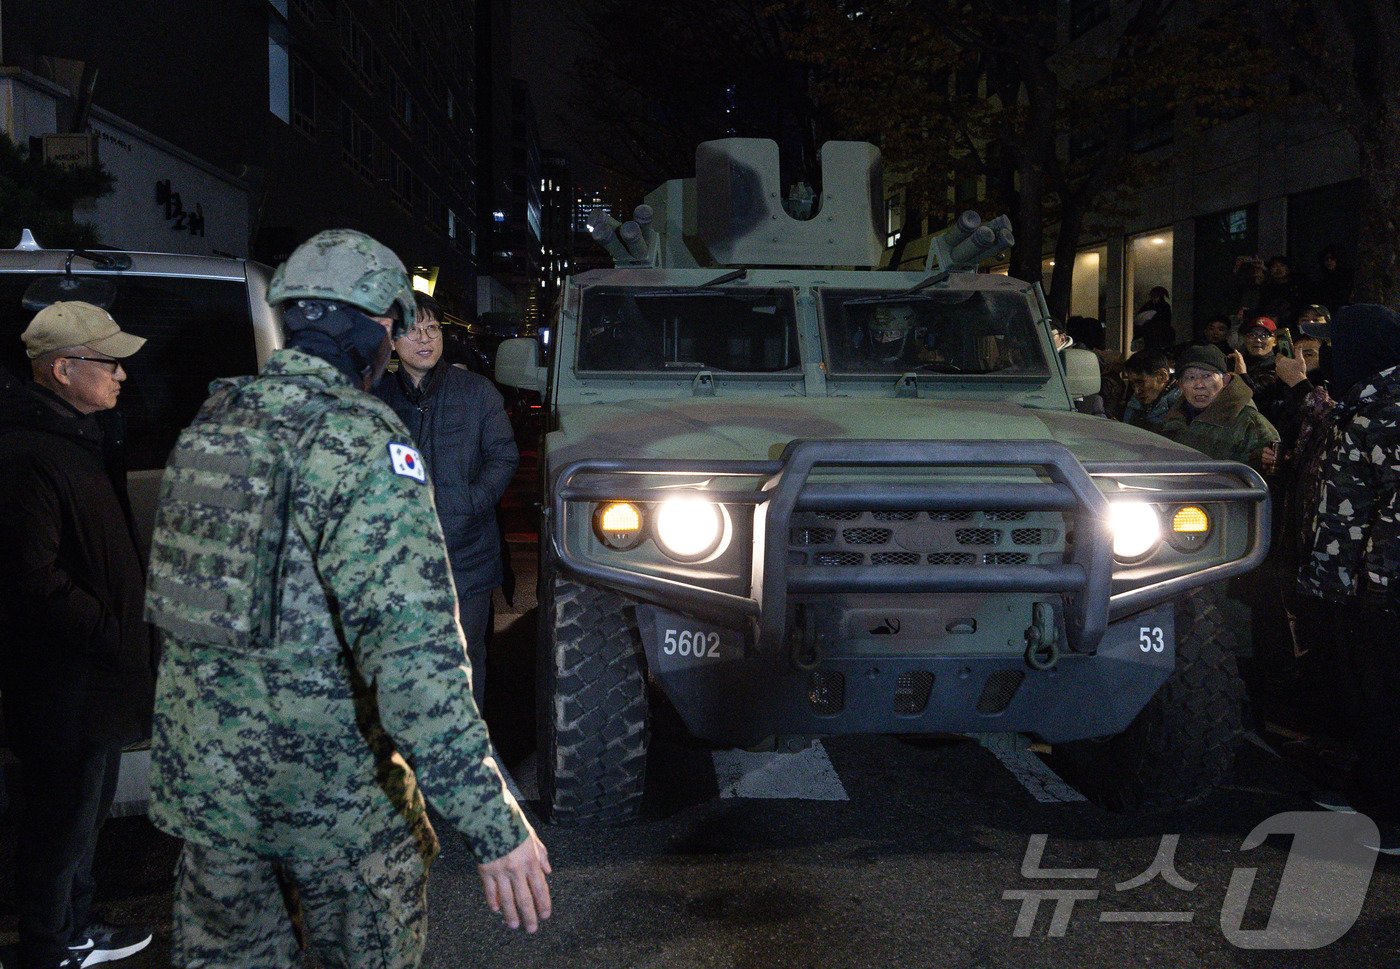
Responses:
[594,725]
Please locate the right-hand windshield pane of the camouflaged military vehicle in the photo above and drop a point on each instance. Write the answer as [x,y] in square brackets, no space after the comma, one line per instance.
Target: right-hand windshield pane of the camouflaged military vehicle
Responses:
[939,333]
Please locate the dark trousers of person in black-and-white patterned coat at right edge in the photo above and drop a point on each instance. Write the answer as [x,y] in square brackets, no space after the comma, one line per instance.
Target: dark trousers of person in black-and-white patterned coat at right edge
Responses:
[1375,657]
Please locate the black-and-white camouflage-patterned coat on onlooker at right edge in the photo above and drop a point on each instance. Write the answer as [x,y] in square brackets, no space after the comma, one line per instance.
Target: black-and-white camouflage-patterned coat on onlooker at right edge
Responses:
[1356,548]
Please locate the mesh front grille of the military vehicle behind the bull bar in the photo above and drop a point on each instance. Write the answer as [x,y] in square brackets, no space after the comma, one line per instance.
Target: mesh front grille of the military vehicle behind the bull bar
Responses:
[892,540]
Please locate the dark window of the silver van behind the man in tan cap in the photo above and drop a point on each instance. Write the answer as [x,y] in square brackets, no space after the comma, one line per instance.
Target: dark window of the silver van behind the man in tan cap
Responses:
[197,330]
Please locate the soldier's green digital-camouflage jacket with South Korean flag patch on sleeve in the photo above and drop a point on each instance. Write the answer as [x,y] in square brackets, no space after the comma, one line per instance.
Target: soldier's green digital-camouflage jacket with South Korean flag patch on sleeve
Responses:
[302,747]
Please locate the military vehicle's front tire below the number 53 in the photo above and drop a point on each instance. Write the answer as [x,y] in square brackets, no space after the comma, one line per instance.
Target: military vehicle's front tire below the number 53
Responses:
[1182,746]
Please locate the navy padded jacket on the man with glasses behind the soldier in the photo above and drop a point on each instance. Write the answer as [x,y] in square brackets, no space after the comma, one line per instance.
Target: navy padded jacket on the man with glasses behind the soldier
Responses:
[458,422]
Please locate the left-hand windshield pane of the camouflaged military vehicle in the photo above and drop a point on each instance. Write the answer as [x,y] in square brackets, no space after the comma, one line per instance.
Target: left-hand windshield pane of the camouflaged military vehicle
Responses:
[748,331]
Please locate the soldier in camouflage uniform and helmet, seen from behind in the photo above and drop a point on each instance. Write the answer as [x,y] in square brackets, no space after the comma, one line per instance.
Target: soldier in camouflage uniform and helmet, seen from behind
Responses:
[313,652]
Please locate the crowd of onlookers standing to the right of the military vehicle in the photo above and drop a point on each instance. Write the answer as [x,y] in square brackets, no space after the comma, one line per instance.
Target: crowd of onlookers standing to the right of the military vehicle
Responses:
[1304,387]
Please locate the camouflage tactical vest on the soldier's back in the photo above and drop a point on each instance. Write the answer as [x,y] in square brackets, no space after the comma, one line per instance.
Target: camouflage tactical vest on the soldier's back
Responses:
[223,519]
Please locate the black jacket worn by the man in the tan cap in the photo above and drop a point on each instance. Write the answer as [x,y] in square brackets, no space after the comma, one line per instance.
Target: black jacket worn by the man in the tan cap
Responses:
[78,663]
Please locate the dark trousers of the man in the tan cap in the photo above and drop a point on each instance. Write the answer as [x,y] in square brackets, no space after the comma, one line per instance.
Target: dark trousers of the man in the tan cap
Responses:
[66,800]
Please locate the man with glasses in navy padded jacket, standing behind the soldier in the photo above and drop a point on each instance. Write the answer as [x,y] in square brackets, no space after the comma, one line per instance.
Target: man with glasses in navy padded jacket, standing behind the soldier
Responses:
[458,422]
